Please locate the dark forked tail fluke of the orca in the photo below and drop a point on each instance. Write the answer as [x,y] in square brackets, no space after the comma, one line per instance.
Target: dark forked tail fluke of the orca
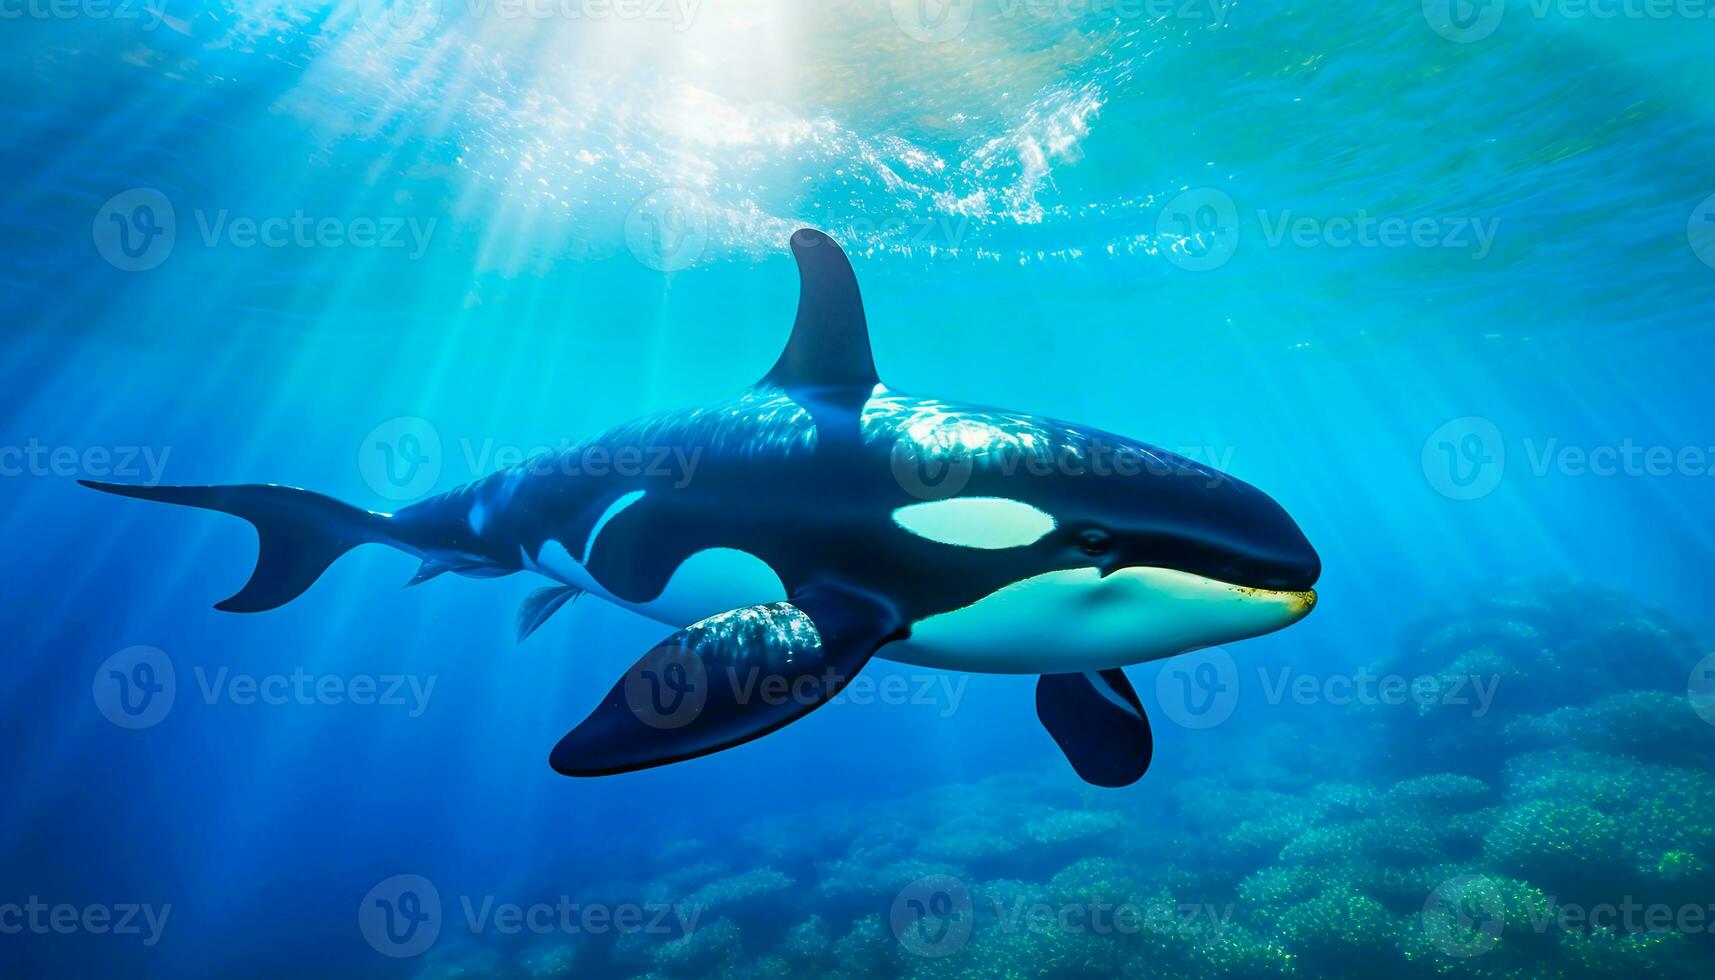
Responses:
[299,535]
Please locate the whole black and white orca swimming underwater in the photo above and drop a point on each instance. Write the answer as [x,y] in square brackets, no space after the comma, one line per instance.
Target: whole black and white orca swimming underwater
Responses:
[831,521]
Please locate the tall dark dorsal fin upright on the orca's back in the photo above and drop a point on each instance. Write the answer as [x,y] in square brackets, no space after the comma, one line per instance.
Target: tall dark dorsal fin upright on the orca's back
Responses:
[831,341]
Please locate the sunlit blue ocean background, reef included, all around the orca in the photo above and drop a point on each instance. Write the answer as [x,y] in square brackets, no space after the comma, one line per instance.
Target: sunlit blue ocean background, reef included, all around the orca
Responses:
[1435,277]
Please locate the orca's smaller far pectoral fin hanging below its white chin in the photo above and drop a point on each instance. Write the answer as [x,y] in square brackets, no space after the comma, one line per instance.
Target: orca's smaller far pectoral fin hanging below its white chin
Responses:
[1098,723]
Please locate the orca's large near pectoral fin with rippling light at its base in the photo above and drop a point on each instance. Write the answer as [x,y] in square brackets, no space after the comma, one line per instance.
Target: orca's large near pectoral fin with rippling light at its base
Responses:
[728,681]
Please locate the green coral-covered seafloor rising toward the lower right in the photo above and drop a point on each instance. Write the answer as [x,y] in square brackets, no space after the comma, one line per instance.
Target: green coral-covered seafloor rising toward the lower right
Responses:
[1378,842]
